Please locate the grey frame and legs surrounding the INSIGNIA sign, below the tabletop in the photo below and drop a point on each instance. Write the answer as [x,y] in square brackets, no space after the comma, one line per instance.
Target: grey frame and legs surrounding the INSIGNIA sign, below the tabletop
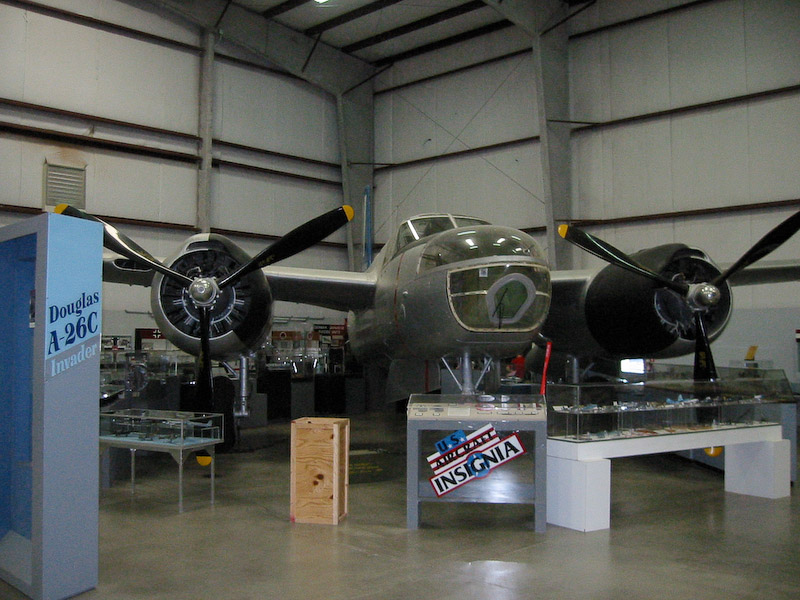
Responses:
[418,491]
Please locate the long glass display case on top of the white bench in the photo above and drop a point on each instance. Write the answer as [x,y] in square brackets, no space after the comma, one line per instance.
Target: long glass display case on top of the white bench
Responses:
[659,404]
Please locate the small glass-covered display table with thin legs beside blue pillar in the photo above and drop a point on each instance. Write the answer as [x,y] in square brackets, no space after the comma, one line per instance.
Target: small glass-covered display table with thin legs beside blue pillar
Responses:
[178,433]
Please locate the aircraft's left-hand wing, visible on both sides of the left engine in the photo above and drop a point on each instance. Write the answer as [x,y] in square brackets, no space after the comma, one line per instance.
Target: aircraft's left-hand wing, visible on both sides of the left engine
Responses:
[338,290]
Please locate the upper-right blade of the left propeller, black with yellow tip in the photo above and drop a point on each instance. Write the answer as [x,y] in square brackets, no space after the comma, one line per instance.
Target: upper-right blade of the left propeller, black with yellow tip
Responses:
[295,241]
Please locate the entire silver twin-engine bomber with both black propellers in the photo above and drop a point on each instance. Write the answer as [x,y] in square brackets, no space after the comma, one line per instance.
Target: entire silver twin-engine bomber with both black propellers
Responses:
[444,287]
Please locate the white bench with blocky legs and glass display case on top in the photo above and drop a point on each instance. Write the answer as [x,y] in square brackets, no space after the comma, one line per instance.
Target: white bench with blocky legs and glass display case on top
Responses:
[591,424]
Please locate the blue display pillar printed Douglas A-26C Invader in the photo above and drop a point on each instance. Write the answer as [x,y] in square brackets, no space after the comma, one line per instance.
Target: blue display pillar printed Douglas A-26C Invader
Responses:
[50,328]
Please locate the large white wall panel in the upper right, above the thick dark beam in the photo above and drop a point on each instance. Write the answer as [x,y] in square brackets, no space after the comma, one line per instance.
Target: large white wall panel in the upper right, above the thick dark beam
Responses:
[704,53]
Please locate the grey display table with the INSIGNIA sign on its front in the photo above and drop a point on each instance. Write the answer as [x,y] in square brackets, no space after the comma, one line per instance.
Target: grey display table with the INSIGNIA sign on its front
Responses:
[469,463]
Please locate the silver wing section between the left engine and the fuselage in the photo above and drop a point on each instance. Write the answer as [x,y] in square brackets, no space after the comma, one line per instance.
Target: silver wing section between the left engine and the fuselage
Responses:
[338,290]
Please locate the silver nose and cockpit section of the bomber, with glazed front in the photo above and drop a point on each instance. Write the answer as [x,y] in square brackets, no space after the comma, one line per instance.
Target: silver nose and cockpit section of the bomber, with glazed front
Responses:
[483,289]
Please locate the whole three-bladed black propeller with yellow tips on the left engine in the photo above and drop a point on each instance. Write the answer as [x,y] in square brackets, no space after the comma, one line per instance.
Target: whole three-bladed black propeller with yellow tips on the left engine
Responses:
[204,290]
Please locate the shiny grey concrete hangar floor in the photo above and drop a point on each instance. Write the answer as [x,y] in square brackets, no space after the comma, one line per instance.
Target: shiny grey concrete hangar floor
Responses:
[674,534]
